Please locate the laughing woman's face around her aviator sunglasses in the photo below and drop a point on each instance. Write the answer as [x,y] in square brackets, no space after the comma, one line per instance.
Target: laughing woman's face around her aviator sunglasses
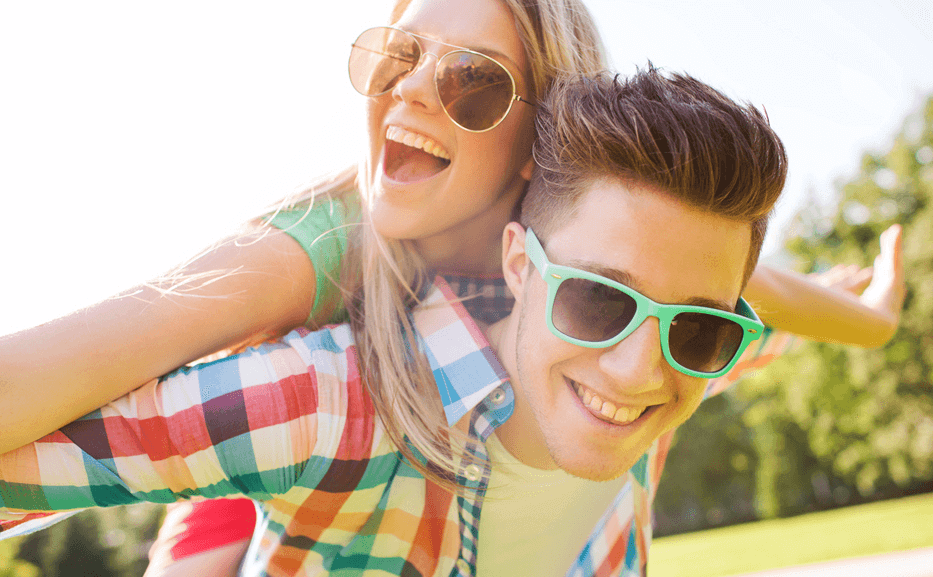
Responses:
[420,195]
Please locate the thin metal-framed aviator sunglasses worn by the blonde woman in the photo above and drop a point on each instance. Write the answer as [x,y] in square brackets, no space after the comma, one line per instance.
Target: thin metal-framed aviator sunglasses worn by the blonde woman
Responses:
[476,91]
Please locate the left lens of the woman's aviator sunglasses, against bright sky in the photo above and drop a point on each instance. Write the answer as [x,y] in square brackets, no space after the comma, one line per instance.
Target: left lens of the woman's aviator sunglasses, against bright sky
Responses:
[379,58]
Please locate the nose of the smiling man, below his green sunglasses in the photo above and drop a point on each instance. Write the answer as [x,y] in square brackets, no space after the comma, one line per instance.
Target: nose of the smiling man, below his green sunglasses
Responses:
[636,364]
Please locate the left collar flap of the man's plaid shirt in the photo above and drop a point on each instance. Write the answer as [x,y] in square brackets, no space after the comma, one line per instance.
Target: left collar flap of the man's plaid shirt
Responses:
[464,365]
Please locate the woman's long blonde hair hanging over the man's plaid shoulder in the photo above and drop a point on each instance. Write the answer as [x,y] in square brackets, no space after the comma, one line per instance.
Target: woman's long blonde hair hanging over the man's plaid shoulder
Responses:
[381,277]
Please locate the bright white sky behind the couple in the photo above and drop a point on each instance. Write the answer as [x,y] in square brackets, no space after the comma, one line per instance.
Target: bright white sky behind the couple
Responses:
[133,134]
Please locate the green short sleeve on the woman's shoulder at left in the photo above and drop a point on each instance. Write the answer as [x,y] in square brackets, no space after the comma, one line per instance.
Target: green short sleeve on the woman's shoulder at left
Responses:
[320,232]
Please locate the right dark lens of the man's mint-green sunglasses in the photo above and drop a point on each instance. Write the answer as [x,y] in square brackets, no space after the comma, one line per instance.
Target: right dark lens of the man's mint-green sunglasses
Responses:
[703,342]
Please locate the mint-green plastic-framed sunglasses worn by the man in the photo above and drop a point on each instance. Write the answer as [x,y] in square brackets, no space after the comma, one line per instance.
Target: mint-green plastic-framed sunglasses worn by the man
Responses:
[593,311]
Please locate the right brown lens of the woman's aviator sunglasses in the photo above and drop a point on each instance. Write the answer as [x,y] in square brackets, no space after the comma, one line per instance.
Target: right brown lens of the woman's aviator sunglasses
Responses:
[475,90]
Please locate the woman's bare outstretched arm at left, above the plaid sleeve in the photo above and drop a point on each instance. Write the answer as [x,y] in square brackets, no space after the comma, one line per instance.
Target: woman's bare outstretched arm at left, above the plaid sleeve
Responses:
[52,374]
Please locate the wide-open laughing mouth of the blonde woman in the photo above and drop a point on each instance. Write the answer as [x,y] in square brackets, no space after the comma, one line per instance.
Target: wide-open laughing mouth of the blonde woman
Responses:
[411,157]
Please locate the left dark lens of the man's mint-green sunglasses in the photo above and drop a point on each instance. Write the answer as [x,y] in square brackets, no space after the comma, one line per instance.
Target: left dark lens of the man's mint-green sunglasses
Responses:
[591,311]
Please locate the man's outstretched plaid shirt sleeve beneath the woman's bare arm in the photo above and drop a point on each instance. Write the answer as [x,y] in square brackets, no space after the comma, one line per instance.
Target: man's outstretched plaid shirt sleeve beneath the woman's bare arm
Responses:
[247,424]
